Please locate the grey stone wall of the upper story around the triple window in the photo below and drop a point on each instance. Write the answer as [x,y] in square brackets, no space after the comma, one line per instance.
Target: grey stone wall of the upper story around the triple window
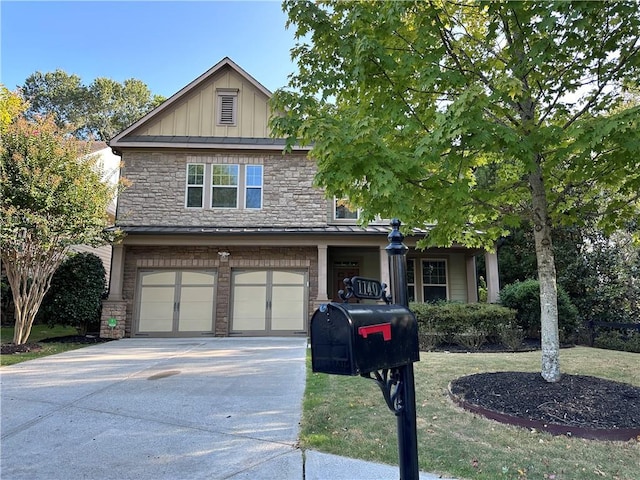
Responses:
[158,183]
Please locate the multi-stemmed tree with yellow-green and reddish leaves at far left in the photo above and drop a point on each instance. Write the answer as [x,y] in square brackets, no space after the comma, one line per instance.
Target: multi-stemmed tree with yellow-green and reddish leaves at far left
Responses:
[52,196]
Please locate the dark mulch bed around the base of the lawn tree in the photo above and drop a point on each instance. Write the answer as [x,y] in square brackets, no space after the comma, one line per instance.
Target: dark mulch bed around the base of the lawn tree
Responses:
[579,405]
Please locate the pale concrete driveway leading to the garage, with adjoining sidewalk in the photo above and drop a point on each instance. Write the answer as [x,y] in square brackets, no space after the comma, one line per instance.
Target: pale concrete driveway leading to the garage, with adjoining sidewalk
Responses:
[194,408]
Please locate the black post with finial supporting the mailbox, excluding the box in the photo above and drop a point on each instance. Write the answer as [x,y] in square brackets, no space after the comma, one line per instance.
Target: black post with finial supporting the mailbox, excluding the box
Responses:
[406,417]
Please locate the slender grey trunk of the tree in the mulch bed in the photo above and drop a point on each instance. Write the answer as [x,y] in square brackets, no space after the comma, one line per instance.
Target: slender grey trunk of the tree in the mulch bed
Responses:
[547,277]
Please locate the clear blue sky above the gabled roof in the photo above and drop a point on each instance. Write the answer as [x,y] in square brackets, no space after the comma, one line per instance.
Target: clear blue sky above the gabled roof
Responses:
[165,44]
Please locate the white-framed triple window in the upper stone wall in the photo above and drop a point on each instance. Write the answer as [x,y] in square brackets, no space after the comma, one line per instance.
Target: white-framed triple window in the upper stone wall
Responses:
[224,186]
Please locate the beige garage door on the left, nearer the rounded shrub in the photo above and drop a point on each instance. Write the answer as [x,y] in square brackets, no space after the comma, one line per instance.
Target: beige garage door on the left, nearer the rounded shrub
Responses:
[176,302]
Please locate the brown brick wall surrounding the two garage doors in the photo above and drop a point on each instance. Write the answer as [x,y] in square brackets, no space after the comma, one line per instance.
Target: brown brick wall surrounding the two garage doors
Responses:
[259,257]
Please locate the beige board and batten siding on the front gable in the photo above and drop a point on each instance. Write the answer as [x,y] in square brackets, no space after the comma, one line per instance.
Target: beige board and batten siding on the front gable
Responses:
[195,115]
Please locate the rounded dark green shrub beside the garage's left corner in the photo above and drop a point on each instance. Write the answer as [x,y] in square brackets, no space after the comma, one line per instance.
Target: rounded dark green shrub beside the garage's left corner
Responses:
[75,296]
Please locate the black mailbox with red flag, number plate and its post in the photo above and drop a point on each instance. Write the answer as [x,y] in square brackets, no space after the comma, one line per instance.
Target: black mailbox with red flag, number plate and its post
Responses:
[379,342]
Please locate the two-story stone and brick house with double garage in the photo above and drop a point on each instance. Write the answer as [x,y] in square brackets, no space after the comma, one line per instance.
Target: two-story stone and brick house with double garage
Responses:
[225,233]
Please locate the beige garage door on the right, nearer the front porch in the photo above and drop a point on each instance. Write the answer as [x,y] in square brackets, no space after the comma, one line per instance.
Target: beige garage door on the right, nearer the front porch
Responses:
[269,302]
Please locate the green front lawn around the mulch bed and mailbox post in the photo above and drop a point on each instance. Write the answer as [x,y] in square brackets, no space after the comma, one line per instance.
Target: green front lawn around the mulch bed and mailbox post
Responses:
[348,416]
